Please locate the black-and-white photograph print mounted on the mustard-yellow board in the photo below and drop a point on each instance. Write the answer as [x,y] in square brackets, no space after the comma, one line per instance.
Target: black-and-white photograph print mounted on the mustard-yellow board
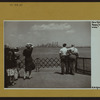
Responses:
[47,54]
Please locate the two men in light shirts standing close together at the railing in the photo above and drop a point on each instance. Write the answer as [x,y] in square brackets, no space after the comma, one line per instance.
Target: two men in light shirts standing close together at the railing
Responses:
[68,58]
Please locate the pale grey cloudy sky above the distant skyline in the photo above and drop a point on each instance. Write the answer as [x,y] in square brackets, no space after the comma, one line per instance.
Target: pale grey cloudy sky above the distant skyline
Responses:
[18,33]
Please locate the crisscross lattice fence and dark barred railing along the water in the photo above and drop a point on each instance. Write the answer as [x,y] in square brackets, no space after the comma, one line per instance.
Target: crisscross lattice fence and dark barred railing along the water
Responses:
[83,65]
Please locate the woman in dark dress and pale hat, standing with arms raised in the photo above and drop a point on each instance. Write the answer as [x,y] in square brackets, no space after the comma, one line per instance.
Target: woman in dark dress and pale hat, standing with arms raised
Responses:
[29,65]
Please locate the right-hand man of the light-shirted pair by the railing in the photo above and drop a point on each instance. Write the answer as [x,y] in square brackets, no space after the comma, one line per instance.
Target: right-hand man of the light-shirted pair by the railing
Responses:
[73,54]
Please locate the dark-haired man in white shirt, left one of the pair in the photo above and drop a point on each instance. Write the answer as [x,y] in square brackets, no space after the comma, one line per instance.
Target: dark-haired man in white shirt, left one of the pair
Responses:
[63,56]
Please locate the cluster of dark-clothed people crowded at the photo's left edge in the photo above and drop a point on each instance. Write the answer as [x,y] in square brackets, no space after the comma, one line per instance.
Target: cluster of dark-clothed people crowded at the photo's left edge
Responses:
[12,65]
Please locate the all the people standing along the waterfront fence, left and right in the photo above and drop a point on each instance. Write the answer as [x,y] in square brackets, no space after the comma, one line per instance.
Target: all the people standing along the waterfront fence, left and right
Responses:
[13,63]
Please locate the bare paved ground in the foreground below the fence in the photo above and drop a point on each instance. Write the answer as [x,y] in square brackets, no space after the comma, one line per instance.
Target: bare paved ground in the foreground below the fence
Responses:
[51,78]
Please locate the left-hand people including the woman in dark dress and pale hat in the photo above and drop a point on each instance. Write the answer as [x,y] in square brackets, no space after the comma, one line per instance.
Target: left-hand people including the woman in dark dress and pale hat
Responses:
[13,64]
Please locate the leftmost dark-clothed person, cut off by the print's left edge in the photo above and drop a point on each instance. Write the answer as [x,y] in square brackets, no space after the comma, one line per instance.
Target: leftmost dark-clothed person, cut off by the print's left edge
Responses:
[9,66]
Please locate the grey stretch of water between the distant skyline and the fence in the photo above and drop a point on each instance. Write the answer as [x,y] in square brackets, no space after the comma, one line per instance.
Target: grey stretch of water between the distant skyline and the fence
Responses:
[54,52]
